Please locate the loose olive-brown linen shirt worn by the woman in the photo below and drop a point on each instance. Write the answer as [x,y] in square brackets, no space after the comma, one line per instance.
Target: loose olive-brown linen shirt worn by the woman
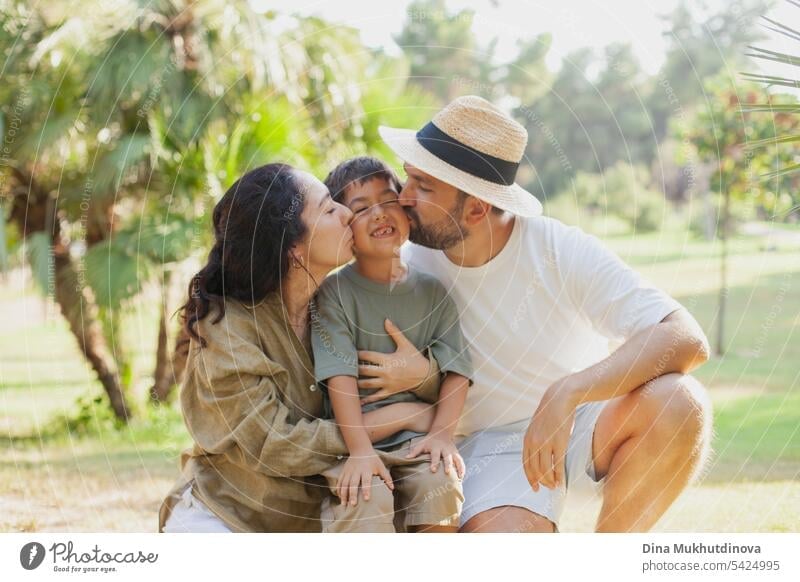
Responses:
[251,404]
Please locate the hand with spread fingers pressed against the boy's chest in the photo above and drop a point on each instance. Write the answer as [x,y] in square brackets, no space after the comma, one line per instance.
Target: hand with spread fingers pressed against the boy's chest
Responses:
[389,374]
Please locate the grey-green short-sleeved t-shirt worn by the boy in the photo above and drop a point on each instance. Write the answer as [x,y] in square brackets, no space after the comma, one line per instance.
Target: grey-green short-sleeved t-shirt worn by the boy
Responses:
[349,313]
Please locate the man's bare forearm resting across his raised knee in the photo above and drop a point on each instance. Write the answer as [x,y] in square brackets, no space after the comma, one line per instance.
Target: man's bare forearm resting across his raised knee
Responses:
[675,344]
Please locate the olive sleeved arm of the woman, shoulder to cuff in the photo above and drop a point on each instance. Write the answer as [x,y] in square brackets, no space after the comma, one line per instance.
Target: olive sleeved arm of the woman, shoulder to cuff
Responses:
[231,406]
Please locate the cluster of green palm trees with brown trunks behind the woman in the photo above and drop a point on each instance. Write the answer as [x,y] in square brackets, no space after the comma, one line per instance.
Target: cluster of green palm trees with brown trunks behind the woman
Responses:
[124,123]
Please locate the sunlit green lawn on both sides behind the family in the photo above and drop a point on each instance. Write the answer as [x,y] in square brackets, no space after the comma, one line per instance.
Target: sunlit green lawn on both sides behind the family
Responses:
[54,481]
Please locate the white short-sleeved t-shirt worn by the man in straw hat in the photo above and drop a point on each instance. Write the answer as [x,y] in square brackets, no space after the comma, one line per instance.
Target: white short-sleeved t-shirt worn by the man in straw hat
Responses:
[553,302]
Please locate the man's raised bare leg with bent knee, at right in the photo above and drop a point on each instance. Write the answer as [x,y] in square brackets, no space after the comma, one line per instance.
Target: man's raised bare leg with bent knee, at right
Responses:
[650,444]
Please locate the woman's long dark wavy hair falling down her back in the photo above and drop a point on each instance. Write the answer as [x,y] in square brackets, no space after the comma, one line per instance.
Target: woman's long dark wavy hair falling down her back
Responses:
[256,223]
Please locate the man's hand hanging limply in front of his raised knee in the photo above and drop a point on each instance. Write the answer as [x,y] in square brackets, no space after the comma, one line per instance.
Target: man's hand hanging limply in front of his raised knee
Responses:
[545,448]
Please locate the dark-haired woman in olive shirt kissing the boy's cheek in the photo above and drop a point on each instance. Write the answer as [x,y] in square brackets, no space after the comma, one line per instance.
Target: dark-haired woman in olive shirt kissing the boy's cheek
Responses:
[249,398]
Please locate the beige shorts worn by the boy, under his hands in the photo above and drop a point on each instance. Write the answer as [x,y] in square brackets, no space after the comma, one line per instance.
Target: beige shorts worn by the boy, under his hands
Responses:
[420,497]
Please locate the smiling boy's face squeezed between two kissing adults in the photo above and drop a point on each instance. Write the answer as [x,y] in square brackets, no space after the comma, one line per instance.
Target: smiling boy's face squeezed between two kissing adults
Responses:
[379,225]
